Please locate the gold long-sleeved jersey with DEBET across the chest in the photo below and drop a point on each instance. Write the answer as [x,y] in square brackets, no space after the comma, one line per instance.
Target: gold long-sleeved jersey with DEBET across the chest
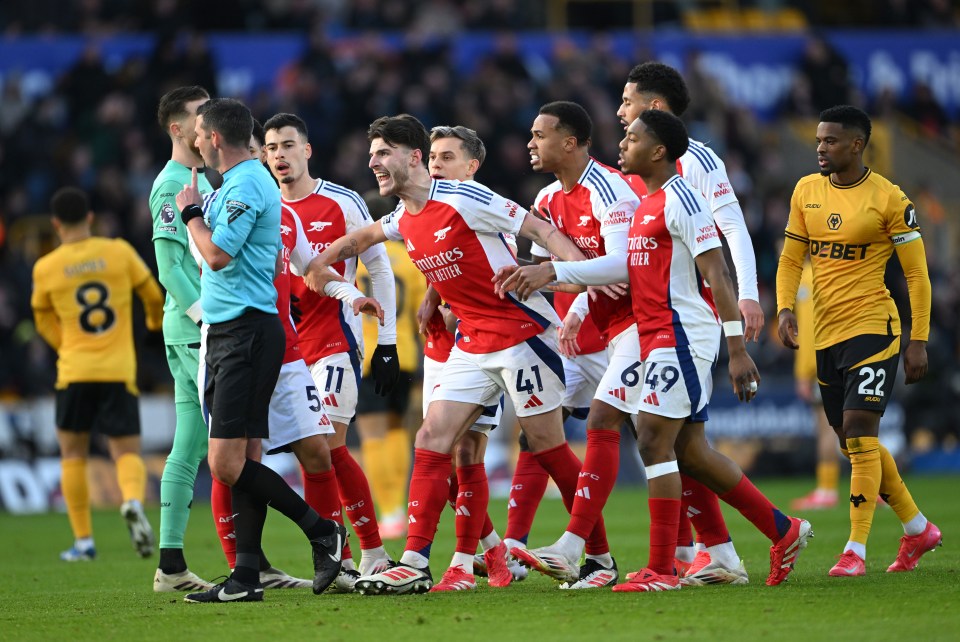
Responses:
[850,232]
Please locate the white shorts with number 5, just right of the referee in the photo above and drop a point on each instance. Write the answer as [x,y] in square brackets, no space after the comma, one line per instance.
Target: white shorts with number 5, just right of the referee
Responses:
[296,411]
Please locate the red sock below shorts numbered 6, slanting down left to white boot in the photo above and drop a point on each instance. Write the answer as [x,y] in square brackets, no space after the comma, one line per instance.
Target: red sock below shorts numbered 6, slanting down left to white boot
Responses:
[597,478]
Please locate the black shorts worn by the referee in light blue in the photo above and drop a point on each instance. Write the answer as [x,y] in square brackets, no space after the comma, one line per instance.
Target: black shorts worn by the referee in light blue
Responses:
[242,360]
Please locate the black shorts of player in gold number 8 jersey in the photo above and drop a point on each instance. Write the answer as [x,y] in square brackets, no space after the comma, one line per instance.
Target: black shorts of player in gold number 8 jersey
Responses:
[105,406]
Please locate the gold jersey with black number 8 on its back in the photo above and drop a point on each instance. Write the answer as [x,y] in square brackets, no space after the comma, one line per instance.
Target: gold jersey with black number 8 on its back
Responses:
[82,295]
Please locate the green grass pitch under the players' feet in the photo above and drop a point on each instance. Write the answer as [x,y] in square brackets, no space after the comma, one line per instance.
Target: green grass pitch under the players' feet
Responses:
[111,599]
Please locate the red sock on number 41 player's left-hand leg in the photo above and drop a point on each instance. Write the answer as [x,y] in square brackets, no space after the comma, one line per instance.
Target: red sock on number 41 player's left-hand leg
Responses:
[429,485]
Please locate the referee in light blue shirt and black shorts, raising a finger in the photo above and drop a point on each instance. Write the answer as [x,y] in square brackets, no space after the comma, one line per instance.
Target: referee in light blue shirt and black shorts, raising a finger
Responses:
[243,343]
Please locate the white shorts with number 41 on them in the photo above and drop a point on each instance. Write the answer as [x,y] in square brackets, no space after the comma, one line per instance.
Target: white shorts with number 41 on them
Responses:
[531,373]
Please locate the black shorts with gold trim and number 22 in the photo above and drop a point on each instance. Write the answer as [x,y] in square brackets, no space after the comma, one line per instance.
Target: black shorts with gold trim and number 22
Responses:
[857,374]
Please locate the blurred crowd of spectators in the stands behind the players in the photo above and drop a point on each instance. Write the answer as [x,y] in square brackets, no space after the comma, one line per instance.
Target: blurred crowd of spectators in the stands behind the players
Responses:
[97,129]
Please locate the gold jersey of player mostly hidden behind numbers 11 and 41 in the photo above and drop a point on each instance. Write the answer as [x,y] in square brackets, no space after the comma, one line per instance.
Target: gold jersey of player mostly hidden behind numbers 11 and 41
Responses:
[410,291]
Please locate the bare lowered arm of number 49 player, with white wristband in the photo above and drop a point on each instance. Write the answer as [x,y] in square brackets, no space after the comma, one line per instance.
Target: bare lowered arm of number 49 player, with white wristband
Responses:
[743,371]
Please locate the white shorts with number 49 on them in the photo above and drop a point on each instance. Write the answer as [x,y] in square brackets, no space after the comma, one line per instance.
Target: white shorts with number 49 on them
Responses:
[677,385]
